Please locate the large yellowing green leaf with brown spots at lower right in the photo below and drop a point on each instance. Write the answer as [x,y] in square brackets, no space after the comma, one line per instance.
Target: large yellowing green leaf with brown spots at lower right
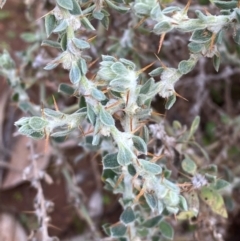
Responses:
[214,200]
